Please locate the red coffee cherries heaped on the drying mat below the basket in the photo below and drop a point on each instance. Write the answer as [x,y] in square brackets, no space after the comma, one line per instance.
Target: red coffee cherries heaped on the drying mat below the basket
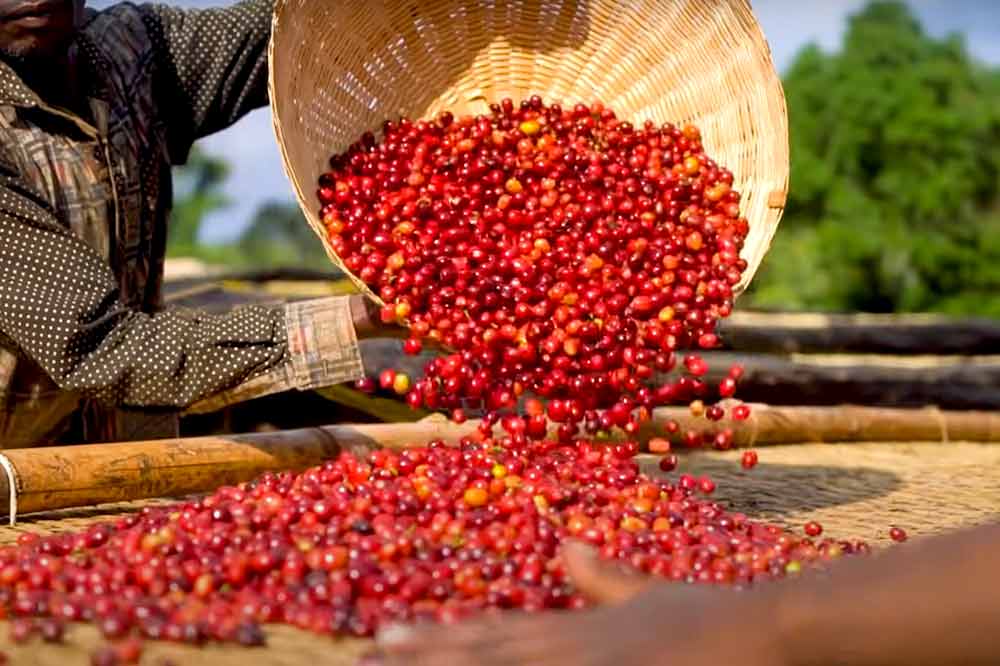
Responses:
[430,533]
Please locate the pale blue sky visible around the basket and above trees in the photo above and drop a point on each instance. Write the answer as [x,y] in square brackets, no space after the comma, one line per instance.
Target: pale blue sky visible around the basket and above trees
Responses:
[789,25]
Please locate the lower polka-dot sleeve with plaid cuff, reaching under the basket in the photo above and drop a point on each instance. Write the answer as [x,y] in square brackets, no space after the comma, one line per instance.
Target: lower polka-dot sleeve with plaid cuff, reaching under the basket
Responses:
[60,305]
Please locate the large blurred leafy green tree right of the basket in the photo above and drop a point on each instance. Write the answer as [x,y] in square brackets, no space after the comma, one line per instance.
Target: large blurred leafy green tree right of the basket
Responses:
[895,179]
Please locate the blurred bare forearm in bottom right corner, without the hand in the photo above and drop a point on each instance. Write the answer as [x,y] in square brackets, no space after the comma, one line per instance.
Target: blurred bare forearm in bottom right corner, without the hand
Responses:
[931,602]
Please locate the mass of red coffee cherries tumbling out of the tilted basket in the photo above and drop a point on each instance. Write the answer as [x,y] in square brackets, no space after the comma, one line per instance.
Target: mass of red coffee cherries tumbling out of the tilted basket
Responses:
[558,252]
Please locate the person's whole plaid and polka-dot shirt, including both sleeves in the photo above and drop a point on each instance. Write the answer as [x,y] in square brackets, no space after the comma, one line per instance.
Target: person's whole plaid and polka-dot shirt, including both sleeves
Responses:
[86,353]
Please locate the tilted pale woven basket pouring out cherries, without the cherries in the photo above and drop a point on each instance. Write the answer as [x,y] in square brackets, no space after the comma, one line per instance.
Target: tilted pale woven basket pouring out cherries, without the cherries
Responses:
[339,69]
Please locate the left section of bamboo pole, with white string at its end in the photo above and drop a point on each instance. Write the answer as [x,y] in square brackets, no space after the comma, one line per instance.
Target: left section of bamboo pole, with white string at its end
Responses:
[52,478]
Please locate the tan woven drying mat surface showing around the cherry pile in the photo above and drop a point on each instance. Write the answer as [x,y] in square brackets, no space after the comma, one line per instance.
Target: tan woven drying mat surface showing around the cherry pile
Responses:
[857,491]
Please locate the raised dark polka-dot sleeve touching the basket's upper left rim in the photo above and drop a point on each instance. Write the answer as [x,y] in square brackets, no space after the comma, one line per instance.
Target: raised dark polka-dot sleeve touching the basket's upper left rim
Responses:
[212,66]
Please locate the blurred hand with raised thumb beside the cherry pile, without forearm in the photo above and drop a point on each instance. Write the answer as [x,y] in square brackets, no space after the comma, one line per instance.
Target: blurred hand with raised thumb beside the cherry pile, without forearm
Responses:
[643,623]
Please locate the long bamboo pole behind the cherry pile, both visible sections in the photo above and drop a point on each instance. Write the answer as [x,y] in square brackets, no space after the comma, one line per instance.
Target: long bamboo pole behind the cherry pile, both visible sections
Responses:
[45,479]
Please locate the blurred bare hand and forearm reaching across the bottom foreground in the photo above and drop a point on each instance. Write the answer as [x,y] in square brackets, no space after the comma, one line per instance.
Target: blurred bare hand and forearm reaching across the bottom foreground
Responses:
[931,602]
